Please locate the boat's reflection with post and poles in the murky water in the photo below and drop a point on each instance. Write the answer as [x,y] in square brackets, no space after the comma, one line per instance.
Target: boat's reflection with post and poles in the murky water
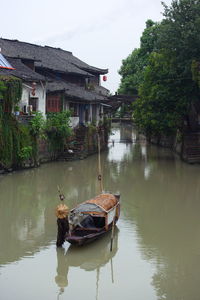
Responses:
[89,258]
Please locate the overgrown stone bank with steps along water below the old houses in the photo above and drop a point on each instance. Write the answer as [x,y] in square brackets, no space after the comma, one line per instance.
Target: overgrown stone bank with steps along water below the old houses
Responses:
[81,144]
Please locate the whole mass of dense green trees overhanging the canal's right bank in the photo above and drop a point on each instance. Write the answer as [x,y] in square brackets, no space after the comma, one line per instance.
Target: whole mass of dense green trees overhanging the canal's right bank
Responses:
[168,76]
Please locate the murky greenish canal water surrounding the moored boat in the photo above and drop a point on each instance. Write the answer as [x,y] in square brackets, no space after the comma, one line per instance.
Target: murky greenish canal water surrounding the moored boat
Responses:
[156,251]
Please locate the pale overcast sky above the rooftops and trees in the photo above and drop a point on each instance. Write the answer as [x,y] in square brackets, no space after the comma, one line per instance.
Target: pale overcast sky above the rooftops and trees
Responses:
[101,33]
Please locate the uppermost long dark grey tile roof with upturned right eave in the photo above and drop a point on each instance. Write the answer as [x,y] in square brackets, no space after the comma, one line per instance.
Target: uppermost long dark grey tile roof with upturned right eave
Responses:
[48,57]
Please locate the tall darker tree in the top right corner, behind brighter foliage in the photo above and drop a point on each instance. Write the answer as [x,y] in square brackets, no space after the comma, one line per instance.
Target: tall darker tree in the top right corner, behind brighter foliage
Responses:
[180,37]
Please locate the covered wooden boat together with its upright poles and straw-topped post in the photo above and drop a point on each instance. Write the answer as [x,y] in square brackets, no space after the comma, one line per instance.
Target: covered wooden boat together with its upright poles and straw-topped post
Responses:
[90,219]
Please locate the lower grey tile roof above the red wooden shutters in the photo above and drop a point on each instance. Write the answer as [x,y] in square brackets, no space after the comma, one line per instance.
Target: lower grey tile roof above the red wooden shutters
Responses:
[74,91]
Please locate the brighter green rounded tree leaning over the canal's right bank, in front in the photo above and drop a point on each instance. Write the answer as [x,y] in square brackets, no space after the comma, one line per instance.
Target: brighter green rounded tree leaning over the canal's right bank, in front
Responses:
[162,105]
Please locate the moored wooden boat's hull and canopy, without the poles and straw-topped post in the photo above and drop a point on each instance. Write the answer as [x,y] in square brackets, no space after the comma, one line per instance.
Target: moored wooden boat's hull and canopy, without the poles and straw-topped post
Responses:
[93,218]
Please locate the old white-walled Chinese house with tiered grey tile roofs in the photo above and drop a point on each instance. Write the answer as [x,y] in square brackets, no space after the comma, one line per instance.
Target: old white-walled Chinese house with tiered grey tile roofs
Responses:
[56,80]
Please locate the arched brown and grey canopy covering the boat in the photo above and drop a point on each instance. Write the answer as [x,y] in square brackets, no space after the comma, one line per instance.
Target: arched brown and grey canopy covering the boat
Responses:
[99,204]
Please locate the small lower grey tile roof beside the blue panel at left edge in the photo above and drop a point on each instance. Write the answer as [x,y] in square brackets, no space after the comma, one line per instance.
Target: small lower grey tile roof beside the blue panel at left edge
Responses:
[21,71]
